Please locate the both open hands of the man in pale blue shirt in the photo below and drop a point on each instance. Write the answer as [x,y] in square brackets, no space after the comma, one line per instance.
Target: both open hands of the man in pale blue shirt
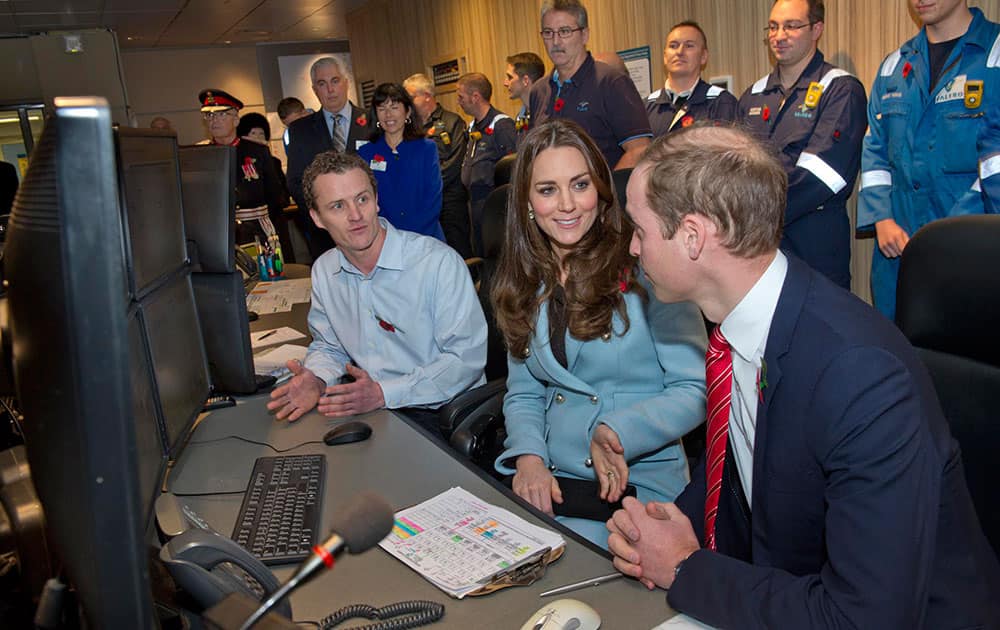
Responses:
[304,390]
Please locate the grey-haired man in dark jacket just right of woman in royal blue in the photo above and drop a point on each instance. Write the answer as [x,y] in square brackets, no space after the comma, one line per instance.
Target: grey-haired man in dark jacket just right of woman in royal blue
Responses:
[447,130]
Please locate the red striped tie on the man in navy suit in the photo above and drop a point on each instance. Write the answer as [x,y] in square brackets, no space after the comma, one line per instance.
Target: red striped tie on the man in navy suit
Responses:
[719,383]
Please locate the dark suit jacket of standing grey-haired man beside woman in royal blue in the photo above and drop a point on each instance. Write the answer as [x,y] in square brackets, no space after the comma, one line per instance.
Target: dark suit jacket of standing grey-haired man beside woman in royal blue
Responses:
[310,136]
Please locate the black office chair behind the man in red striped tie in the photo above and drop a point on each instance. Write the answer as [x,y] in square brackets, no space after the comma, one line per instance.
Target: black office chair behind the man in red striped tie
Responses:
[948,306]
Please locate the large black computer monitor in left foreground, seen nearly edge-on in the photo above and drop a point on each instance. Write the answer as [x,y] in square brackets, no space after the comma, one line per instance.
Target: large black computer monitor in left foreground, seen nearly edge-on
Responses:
[70,324]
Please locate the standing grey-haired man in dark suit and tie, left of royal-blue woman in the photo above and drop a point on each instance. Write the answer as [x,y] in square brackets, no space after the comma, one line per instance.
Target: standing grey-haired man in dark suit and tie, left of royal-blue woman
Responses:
[338,125]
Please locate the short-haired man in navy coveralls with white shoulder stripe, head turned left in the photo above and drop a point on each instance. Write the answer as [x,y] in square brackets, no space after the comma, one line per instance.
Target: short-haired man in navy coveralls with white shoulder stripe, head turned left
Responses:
[491,136]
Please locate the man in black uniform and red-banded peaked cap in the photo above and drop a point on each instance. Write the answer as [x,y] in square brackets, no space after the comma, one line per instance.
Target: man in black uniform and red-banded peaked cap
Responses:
[260,198]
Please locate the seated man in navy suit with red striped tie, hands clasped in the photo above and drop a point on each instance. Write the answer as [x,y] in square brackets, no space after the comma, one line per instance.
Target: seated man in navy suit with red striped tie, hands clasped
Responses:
[832,493]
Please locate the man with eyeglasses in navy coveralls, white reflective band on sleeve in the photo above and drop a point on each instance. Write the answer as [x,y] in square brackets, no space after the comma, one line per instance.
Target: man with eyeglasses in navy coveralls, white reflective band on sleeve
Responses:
[813,113]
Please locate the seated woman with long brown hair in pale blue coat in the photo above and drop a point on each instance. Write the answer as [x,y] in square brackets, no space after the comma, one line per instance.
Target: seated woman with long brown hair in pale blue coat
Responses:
[604,380]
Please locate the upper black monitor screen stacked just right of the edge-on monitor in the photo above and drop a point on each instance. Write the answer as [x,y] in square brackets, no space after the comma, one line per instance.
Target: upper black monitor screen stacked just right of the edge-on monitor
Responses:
[151,203]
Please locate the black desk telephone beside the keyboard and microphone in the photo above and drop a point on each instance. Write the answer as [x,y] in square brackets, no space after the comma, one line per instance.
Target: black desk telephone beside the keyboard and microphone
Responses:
[209,566]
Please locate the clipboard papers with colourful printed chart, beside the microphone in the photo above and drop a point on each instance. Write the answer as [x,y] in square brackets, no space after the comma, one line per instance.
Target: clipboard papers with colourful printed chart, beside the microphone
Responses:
[458,541]
